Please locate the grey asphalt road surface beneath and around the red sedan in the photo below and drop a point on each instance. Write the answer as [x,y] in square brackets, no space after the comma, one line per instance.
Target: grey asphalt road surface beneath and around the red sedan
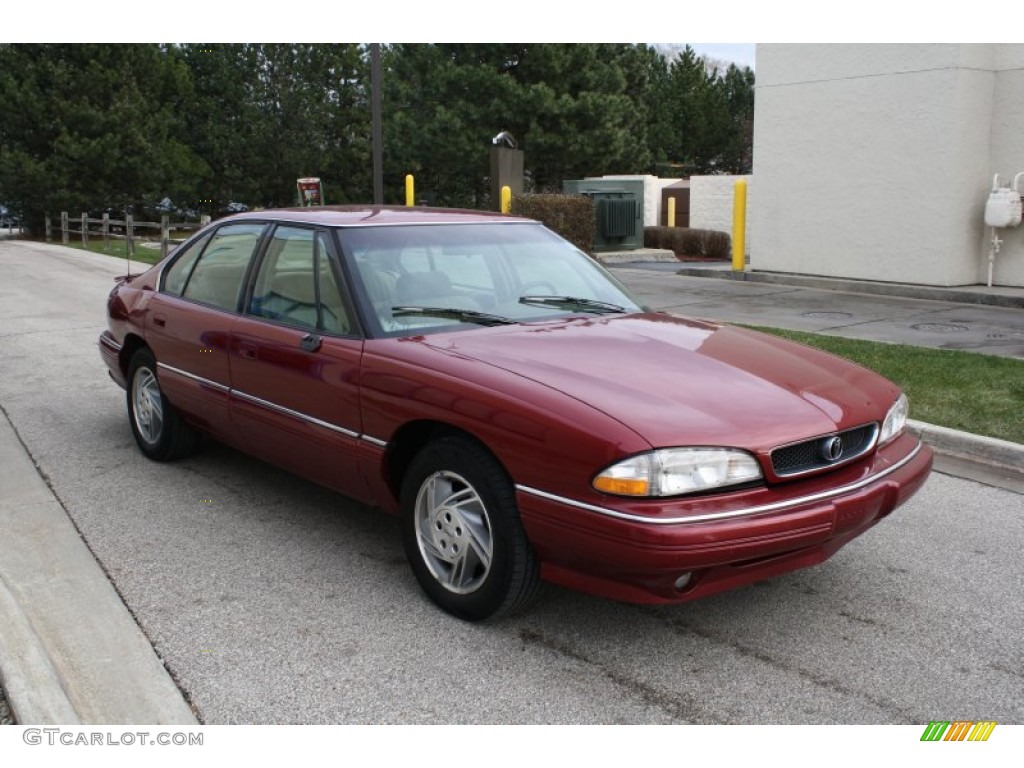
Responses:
[273,601]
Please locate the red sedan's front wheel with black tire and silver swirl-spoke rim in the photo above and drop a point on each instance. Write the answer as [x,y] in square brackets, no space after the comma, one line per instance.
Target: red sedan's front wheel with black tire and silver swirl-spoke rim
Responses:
[462,532]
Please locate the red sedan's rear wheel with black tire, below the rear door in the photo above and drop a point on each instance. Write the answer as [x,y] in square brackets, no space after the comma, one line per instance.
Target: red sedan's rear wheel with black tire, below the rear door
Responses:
[161,434]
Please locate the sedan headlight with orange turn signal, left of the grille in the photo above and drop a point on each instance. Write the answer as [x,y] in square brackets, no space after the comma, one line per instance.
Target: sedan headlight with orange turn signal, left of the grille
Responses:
[675,472]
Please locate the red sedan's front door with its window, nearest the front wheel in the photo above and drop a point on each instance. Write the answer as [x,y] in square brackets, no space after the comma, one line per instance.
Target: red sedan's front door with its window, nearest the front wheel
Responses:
[295,361]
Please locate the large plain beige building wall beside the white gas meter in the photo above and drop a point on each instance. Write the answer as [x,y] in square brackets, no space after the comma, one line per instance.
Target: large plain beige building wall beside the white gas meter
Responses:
[874,162]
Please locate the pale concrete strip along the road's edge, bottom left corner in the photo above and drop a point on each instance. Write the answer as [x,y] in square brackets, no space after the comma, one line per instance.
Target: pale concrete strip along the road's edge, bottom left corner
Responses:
[70,653]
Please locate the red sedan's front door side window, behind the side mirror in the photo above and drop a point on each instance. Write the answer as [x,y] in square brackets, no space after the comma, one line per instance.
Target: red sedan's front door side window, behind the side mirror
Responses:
[296,285]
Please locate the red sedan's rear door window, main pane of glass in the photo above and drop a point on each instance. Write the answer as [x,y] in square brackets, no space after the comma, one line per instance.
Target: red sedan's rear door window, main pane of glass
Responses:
[218,278]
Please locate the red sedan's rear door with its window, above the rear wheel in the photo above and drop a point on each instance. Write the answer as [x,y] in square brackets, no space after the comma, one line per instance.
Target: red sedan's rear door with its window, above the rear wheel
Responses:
[190,320]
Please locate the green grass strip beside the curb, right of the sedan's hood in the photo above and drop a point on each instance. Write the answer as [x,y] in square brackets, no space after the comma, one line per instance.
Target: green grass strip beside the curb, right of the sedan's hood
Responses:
[979,394]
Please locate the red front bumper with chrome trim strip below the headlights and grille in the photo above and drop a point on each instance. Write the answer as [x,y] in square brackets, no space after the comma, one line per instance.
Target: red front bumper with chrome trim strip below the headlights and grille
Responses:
[726,541]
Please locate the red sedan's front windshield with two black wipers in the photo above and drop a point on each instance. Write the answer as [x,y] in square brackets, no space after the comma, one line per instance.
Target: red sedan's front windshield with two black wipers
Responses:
[460,274]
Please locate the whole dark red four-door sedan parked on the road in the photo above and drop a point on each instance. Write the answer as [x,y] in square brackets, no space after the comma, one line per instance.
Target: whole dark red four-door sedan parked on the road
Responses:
[527,418]
